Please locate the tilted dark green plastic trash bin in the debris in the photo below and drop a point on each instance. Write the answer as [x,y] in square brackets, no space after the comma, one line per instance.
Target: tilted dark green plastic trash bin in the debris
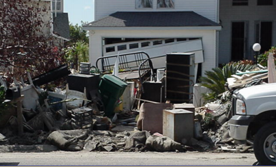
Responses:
[111,89]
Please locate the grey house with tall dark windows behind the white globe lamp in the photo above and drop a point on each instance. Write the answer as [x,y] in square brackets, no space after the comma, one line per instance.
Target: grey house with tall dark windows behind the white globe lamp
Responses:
[245,22]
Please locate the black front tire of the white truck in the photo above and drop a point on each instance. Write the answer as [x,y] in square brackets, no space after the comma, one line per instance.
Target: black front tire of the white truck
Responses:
[265,144]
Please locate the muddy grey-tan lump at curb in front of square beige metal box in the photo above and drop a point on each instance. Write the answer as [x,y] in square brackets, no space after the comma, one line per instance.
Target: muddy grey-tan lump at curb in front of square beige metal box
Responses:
[163,143]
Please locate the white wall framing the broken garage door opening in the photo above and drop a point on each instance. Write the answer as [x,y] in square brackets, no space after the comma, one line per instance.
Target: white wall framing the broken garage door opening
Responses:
[208,39]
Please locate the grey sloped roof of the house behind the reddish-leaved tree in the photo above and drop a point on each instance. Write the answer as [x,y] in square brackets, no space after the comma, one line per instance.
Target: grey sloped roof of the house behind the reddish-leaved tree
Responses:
[61,25]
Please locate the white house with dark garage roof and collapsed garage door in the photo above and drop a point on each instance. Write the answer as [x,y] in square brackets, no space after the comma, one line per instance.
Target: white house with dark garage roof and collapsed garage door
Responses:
[156,27]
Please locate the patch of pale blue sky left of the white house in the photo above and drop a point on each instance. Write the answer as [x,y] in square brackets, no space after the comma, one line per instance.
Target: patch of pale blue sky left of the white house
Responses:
[79,10]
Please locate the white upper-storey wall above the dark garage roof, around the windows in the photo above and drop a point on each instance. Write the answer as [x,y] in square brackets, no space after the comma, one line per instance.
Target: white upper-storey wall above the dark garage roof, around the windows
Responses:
[206,8]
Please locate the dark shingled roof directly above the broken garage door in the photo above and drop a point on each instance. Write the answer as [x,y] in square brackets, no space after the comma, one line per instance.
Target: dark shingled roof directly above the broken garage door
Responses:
[153,19]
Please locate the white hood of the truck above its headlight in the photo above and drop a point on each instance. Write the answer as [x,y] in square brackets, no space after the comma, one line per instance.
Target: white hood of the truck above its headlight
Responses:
[259,91]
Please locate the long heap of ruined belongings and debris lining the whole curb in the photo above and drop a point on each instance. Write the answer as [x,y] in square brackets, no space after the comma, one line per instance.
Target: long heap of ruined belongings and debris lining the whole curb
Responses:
[94,112]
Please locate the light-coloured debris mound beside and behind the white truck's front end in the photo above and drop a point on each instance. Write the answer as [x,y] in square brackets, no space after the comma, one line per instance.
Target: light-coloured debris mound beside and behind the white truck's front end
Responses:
[214,116]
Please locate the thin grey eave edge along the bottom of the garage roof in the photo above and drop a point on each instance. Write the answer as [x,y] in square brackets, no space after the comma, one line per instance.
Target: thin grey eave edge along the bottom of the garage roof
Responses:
[154,28]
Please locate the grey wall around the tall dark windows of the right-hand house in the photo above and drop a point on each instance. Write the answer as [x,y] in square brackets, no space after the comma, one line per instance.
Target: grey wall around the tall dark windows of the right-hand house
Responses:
[250,13]
